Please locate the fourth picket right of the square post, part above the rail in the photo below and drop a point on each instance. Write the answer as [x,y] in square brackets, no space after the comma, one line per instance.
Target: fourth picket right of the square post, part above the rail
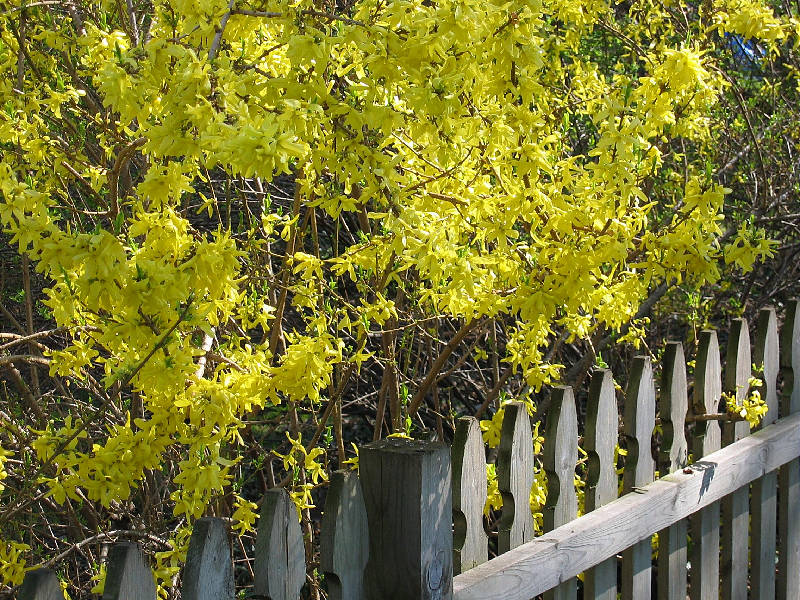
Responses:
[601,439]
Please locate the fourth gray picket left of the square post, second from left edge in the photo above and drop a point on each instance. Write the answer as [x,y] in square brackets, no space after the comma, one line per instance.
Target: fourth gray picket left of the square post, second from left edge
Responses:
[128,576]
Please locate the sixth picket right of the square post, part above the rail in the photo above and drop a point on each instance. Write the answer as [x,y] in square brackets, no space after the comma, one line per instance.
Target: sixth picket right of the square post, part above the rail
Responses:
[672,410]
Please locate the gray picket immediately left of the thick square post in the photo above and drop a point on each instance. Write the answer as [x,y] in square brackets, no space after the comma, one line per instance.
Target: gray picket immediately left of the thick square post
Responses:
[344,538]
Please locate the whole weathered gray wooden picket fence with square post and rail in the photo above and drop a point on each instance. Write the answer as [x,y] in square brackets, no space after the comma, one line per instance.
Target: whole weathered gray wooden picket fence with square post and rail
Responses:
[728,522]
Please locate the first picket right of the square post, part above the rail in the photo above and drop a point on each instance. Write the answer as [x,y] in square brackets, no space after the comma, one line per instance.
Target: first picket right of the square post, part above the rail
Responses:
[470,543]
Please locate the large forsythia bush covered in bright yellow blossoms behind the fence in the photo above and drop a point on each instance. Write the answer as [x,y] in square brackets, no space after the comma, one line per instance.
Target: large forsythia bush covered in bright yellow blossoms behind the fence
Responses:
[539,162]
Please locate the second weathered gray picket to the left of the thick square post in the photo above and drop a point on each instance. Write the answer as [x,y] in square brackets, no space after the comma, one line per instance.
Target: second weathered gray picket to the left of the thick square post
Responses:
[280,562]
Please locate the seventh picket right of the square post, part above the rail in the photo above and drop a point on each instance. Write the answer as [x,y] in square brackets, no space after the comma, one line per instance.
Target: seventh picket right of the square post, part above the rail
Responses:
[707,394]
